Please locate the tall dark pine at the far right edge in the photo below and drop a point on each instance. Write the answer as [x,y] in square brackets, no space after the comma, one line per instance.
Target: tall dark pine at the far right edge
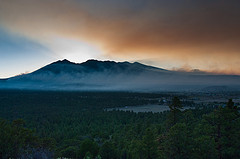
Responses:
[224,128]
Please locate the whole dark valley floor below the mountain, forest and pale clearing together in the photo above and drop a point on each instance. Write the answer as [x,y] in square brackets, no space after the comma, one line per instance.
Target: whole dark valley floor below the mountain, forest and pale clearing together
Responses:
[75,124]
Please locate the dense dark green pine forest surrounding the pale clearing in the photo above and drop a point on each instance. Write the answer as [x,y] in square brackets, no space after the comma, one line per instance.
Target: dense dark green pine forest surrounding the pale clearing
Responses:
[38,124]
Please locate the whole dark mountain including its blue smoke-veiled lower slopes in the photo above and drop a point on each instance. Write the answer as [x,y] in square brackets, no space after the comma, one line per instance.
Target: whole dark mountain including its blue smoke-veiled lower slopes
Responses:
[110,75]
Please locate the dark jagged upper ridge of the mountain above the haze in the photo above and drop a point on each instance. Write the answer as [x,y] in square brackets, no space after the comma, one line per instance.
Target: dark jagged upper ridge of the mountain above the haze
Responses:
[93,66]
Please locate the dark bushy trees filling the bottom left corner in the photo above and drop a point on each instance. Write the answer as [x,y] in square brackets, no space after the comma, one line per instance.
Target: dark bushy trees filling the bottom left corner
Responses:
[16,141]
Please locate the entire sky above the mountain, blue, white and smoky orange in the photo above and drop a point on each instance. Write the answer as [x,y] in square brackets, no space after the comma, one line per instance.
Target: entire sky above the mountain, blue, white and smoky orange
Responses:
[171,34]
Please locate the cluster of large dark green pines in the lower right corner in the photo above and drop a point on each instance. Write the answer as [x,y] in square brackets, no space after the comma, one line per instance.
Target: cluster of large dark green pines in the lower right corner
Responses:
[216,135]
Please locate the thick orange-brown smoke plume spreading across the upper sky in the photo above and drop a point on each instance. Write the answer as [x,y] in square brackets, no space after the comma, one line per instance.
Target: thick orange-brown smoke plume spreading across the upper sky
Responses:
[202,34]
